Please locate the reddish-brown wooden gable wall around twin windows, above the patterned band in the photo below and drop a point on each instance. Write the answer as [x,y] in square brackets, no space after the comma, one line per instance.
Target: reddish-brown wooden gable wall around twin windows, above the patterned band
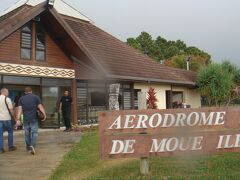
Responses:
[10,52]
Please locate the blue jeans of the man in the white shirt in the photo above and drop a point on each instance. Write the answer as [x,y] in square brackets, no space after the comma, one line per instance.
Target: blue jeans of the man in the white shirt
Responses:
[6,125]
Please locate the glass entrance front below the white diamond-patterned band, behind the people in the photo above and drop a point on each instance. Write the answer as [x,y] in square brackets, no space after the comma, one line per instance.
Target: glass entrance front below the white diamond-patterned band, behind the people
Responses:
[48,89]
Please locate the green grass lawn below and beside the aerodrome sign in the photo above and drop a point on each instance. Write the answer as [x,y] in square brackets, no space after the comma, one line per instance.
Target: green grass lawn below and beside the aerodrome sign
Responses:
[83,162]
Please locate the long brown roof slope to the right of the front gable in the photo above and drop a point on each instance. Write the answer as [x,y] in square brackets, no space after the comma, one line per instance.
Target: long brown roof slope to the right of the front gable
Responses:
[122,61]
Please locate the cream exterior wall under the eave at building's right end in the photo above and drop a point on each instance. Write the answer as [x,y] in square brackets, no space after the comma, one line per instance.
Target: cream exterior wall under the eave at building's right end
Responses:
[190,96]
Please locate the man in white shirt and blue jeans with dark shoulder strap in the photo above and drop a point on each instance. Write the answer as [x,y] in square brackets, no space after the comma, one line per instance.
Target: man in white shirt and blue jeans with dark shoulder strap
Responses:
[6,114]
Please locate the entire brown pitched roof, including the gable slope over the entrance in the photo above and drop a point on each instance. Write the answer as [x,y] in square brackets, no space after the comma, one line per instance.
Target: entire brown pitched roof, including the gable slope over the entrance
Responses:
[115,58]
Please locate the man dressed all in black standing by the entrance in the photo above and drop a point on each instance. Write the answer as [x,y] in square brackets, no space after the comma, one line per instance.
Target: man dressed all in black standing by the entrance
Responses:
[65,109]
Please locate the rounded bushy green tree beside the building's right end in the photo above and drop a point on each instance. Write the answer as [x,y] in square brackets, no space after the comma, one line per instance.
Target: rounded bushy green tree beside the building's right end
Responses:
[215,83]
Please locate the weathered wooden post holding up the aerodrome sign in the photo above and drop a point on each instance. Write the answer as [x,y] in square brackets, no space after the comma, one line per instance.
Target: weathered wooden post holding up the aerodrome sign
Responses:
[142,104]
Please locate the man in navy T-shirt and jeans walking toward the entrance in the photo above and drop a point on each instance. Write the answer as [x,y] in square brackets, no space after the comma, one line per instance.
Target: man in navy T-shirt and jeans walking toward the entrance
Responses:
[29,104]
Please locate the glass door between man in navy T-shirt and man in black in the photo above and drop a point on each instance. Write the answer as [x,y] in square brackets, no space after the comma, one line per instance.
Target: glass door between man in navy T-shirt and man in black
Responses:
[50,97]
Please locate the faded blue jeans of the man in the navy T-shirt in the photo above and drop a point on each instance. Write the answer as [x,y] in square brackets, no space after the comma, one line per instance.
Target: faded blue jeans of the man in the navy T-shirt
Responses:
[31,133]
